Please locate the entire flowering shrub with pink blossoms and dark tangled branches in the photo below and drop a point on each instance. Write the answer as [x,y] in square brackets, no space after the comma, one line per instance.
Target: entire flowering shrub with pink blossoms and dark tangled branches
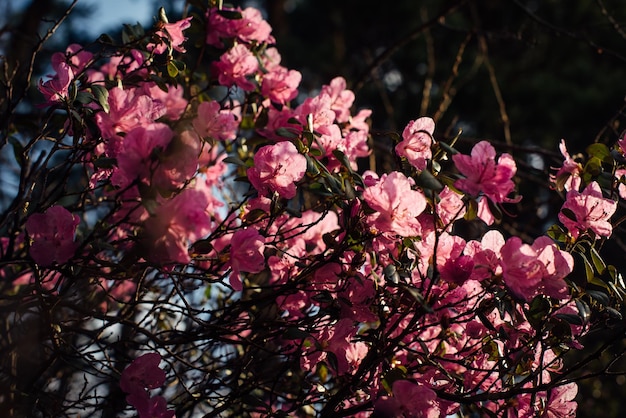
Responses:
[222,226]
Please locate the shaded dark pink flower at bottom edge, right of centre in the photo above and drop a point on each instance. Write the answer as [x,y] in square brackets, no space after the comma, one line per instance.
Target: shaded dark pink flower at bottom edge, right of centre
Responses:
[410,400]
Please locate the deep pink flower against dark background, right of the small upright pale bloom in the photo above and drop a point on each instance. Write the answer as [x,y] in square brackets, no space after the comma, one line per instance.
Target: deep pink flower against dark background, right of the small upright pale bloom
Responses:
[484,175]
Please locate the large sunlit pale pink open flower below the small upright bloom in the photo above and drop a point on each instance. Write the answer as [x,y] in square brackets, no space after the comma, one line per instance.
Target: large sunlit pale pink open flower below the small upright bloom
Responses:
[396,204]
